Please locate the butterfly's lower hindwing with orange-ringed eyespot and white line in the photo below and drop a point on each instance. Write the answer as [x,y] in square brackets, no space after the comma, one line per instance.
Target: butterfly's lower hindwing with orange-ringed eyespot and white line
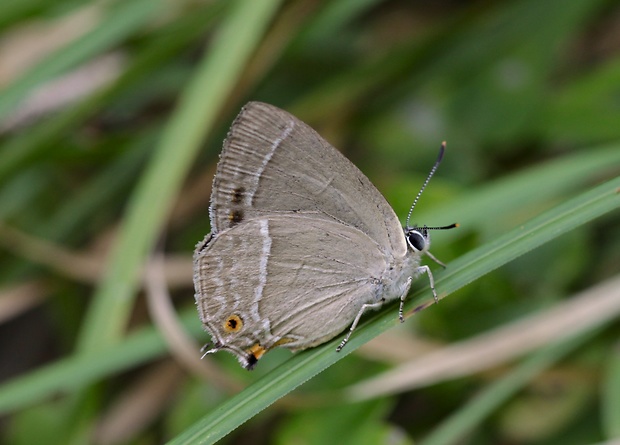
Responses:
[295,281]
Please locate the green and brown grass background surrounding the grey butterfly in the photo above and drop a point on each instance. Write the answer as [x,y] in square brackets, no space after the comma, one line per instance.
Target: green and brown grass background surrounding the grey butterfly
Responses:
[112,116]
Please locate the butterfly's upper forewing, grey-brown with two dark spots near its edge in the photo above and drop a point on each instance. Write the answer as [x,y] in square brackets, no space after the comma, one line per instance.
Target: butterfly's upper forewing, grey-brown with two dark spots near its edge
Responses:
[273,163]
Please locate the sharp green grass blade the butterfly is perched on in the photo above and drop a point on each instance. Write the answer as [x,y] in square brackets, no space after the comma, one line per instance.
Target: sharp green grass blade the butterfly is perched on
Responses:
[303,366]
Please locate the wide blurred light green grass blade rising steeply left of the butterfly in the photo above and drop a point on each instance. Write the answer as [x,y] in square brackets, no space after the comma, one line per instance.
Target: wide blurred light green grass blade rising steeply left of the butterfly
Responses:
[154,195]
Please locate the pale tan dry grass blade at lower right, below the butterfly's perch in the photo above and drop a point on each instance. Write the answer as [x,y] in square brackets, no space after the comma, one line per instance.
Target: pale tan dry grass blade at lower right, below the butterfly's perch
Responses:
[587,309]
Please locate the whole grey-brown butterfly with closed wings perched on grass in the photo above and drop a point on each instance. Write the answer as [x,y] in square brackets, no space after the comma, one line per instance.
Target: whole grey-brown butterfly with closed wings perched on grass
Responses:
[301,245]
